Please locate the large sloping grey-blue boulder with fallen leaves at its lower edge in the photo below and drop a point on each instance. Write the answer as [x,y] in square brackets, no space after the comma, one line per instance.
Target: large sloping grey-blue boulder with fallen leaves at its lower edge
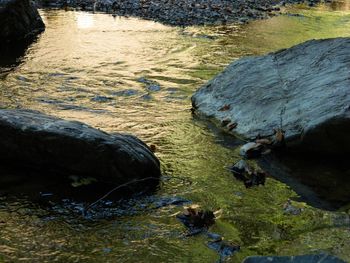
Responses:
[304,89]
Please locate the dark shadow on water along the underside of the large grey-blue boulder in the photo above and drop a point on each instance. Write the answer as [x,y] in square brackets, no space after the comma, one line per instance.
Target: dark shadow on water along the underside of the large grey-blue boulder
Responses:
[320,181]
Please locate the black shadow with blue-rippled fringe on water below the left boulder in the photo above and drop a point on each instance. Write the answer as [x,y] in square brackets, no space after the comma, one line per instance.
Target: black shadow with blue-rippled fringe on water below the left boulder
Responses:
[85,197]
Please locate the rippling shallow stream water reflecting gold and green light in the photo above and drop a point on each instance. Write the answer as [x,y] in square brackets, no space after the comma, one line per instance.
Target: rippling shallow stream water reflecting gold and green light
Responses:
[135,76]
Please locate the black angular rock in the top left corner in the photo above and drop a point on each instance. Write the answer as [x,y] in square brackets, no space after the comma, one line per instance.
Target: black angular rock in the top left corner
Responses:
[19,20]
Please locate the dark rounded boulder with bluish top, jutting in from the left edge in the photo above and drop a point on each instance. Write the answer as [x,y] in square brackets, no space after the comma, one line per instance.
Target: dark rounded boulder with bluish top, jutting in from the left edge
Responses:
[73,148]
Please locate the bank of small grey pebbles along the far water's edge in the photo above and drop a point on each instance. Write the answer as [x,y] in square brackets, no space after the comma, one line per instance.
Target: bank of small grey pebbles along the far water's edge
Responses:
[182,12]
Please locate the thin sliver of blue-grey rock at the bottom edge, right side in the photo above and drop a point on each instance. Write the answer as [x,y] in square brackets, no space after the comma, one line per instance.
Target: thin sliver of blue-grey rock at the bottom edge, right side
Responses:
[324,258]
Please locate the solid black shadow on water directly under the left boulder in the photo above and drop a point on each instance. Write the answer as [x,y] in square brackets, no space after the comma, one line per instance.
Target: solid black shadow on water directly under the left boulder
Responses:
[36,183]
